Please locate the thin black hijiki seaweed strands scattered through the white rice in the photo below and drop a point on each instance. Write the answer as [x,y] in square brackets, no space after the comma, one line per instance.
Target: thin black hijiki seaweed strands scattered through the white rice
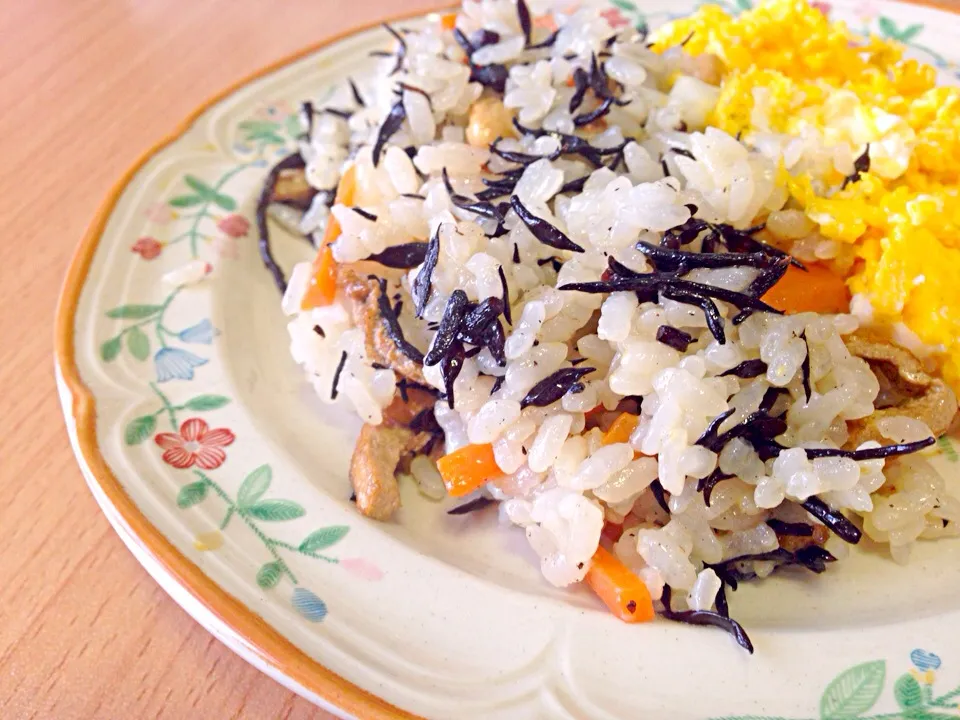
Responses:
[466,328]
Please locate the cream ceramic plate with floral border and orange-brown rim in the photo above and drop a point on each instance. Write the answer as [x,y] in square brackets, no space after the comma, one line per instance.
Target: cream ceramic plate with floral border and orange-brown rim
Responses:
[227,479]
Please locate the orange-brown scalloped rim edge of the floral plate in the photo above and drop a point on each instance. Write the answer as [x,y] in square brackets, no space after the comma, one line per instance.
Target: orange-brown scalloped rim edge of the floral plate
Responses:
[265,647]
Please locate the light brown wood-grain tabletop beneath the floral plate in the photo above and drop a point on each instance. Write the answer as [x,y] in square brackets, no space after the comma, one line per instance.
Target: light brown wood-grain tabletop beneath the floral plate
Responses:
[85,87]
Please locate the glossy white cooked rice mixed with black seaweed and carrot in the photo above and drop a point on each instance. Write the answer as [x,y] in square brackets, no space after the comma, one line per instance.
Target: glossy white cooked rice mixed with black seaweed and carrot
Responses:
[559,481]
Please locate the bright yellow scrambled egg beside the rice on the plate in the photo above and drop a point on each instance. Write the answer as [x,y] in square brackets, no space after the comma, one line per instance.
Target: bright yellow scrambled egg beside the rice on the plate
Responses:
[824,94]
